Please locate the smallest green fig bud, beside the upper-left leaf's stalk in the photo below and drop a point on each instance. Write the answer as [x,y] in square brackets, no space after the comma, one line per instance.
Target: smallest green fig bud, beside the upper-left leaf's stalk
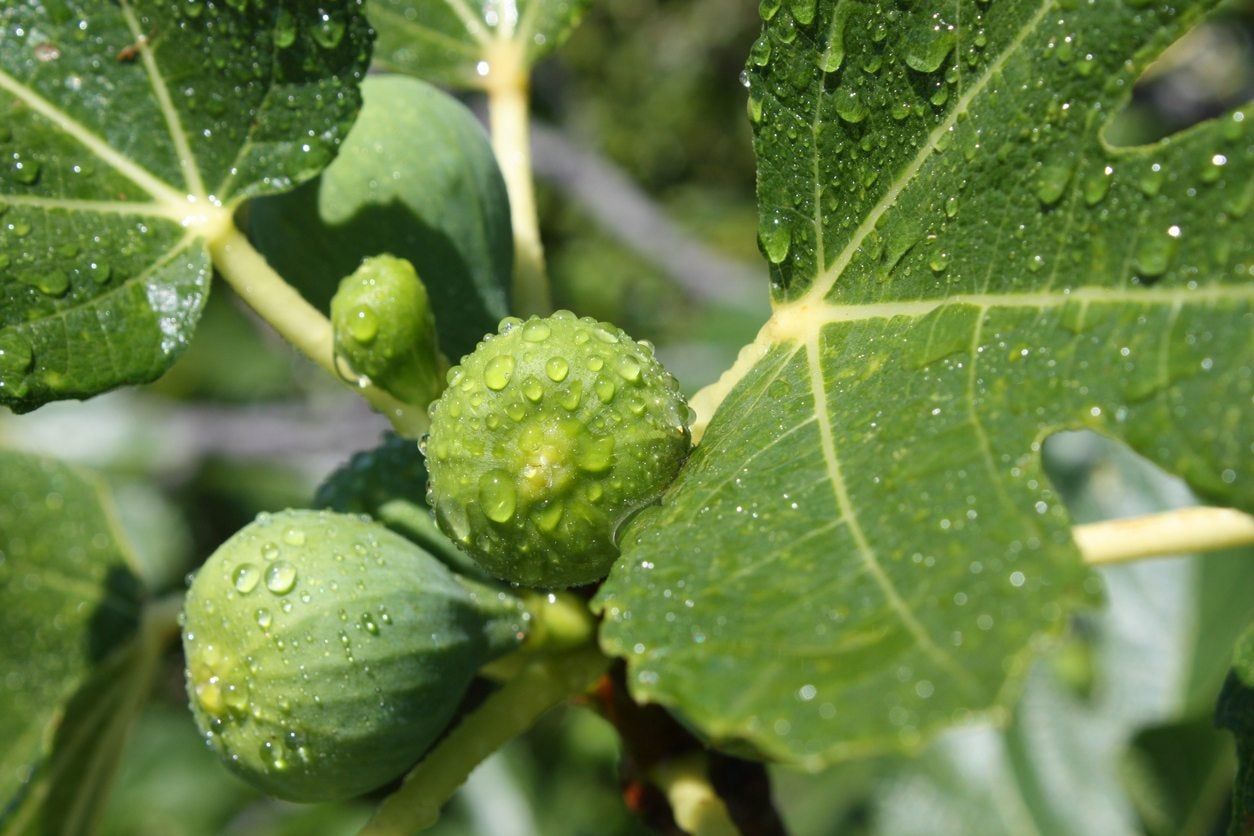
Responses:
[386,330]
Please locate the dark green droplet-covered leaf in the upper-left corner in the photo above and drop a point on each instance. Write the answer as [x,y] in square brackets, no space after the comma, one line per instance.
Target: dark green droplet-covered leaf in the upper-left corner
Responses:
[129,132]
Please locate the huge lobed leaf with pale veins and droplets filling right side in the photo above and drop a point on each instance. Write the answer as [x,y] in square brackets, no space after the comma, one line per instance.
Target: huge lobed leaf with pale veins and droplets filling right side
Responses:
[865,548]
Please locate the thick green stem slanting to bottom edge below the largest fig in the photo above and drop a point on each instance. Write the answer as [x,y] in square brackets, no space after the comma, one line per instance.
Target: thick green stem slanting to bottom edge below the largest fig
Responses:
[542,685]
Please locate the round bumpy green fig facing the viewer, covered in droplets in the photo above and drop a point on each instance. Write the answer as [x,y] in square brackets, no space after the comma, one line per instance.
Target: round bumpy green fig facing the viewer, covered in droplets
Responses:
[549,436]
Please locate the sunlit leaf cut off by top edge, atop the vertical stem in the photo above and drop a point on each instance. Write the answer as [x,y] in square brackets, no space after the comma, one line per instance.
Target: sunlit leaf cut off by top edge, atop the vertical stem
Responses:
[457,42]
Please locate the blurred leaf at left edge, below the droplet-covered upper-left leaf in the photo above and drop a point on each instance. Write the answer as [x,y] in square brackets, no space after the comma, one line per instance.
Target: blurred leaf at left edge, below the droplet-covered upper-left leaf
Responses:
[70,606]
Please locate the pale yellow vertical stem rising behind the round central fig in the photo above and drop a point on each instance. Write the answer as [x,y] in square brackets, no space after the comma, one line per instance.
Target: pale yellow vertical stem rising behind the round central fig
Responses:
[507,86]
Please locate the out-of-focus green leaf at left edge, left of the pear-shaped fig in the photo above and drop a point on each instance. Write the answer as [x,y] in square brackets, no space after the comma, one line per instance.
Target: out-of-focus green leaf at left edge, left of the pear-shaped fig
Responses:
[70,606]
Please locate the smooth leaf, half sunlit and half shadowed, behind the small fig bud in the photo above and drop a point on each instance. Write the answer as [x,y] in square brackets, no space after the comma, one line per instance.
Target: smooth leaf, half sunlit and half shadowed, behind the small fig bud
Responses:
[417,180]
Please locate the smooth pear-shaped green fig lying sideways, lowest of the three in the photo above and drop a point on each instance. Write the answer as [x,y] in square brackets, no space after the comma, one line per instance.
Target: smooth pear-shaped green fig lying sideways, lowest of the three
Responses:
[327,654]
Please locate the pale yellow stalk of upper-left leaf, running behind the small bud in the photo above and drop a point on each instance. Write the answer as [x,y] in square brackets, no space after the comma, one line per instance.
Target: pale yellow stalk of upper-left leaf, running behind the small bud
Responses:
[298,321]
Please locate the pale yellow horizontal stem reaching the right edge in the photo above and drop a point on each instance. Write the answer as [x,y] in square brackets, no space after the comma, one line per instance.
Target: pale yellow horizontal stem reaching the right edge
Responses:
[1186,531]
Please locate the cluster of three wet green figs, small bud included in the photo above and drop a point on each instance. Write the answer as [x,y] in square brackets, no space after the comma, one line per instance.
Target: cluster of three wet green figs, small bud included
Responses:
[327,652]
